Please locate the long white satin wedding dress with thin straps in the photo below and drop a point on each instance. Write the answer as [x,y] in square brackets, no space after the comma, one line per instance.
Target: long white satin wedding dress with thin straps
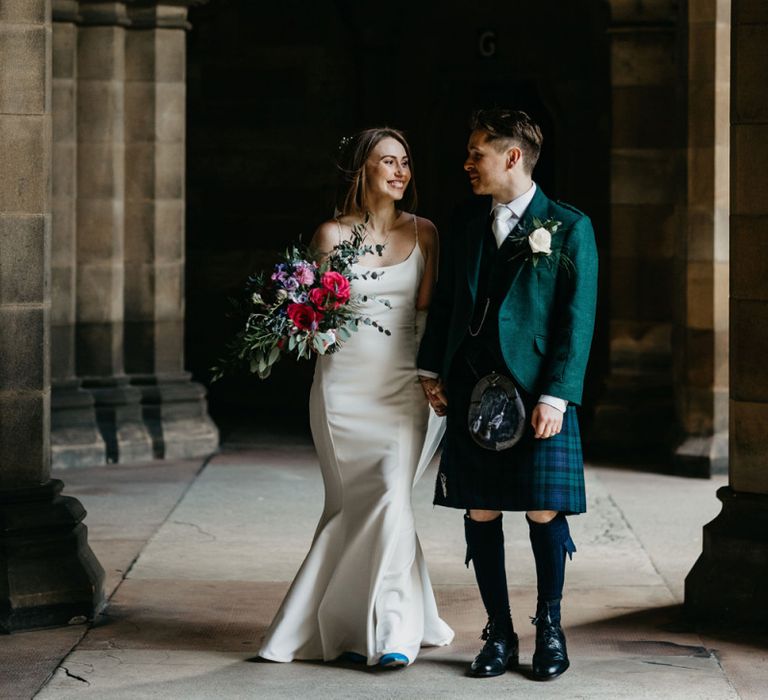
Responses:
[364,586]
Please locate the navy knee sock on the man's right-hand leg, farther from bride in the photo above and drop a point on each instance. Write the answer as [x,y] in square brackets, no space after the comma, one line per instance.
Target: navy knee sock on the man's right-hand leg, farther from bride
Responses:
[550,543]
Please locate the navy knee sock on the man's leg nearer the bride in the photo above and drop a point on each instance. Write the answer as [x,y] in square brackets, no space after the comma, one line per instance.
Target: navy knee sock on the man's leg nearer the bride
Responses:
[485,547]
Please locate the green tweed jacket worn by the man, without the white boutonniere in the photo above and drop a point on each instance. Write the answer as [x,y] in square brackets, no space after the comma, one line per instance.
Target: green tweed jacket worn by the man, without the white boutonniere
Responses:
[547,317]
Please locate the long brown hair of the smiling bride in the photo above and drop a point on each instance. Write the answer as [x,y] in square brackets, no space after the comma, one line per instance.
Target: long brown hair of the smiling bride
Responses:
[351,190]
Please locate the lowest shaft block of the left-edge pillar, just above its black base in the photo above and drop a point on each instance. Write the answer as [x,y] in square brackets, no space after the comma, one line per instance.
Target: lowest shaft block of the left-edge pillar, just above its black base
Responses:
[25,461]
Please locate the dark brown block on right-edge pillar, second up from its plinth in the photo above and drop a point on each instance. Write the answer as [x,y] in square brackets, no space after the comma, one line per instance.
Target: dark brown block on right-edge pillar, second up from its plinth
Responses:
[749,349]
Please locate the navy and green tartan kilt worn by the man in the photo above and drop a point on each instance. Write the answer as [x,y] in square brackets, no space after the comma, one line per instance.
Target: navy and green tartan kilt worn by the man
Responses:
[531,475]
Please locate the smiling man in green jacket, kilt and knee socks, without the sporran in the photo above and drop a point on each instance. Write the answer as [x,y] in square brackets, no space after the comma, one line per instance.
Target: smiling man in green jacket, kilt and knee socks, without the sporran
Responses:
[522,306]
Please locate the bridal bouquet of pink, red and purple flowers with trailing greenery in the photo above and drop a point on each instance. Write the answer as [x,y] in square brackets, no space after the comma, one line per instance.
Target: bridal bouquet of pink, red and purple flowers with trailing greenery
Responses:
[301,307]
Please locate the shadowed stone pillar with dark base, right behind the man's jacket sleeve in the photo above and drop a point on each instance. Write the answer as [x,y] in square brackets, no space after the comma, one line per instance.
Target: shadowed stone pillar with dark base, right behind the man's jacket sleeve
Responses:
[635,418]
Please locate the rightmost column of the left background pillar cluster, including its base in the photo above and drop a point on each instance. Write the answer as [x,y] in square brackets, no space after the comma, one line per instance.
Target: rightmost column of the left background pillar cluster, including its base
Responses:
[174,408]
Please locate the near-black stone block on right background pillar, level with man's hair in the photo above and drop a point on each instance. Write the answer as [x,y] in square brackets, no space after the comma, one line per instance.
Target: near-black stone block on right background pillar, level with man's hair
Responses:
[642,118]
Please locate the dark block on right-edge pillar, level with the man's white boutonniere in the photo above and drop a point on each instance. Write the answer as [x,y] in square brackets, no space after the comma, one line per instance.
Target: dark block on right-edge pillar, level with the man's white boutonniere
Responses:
[749,248]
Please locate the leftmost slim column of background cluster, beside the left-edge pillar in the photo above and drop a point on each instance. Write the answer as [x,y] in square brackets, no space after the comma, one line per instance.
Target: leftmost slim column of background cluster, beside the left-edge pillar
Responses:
[75,438]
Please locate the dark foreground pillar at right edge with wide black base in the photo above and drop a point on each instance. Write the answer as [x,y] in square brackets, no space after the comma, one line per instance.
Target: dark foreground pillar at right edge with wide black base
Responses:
[728,582]
